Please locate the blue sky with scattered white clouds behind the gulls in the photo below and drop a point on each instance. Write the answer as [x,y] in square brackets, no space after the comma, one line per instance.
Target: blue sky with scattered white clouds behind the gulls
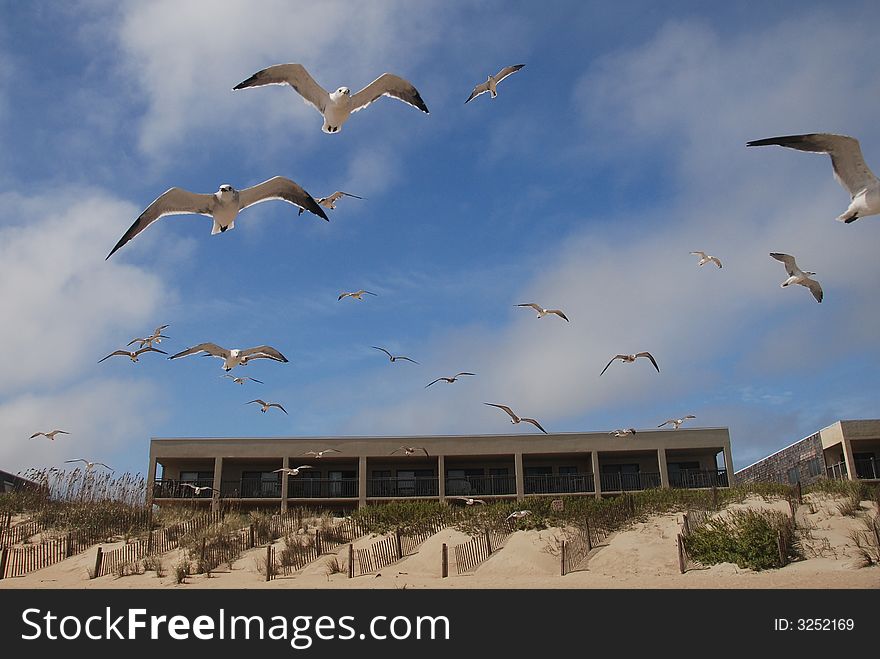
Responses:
[617,150]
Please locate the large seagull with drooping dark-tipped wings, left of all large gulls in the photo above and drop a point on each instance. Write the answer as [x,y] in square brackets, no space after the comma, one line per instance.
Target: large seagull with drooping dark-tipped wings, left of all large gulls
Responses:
[223,206]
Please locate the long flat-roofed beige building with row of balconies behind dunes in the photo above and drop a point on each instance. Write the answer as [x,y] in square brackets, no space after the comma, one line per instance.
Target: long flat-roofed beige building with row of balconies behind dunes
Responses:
[355,471]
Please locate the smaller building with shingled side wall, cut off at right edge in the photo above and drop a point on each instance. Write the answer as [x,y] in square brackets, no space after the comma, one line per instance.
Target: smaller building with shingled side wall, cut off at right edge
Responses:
[845,449]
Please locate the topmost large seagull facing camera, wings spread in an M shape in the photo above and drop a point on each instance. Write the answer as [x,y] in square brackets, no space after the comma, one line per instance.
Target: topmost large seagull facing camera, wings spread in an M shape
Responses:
[338,106]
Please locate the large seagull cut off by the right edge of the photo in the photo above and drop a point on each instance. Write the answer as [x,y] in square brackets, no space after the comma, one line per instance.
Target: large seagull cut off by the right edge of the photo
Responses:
[849,166]
